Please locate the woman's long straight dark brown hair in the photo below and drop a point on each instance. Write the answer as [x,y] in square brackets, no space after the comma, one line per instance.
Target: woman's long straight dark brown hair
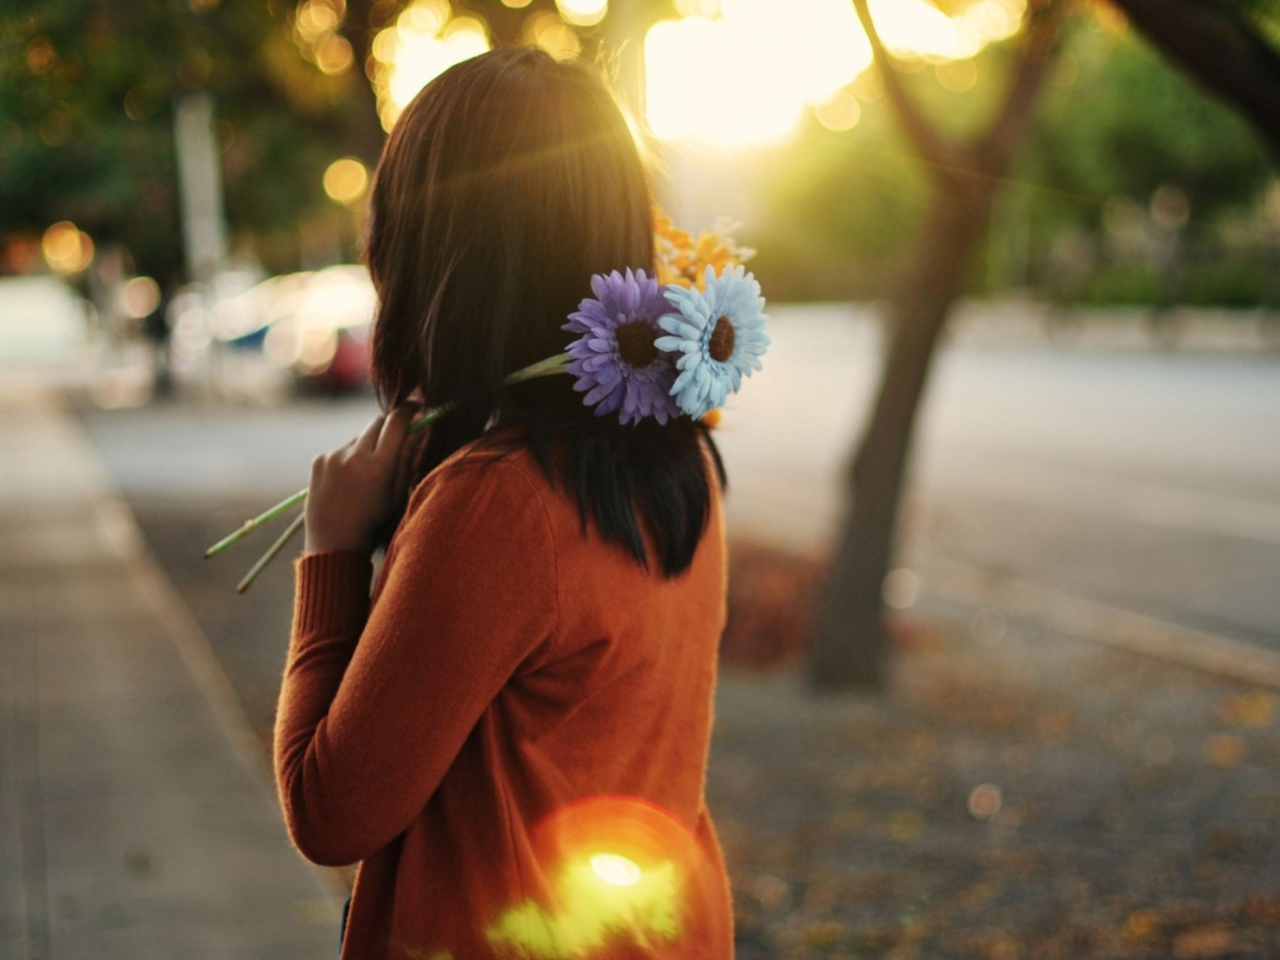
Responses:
[504,188]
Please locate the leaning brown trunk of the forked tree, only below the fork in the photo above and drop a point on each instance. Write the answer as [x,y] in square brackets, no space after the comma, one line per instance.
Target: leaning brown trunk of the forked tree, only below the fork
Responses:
[852,643]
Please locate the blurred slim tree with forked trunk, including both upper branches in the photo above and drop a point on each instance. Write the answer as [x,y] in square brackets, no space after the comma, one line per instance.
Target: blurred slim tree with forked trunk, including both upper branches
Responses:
[963,176]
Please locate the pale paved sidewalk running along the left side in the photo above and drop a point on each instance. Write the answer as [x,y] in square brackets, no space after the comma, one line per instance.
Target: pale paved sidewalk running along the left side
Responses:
[135,819]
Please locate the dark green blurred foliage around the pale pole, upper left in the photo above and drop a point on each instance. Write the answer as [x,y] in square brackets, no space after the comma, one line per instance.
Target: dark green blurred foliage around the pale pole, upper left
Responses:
[86,117]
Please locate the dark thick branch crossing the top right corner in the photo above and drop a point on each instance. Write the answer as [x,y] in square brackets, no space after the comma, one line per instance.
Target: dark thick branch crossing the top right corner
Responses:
[1223,52]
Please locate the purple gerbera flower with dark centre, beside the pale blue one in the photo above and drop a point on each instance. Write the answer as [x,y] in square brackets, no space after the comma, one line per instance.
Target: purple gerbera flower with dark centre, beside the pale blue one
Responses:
[615,359]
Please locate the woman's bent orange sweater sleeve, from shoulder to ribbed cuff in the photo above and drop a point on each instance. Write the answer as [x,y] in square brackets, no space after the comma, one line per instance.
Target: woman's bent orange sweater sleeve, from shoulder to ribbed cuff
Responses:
[371,721]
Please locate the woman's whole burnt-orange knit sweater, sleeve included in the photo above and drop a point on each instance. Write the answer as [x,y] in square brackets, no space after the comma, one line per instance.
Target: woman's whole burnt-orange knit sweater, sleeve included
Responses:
[511,735]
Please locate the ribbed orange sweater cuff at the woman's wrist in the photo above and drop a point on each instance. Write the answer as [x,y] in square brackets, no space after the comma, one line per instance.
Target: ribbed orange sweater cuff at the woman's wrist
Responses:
[332,596]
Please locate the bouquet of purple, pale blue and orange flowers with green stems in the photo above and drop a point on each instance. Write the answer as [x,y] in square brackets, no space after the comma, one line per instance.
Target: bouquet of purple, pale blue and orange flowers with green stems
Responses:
[674,345]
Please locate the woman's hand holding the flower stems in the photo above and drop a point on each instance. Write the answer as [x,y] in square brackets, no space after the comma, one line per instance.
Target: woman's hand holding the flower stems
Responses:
[353,491]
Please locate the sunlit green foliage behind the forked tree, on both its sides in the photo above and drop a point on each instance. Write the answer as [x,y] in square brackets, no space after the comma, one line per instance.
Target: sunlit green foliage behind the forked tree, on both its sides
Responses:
[1117,121]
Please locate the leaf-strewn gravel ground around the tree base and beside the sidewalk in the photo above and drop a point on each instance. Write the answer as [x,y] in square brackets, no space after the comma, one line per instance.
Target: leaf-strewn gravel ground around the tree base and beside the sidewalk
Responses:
[1021,794]
